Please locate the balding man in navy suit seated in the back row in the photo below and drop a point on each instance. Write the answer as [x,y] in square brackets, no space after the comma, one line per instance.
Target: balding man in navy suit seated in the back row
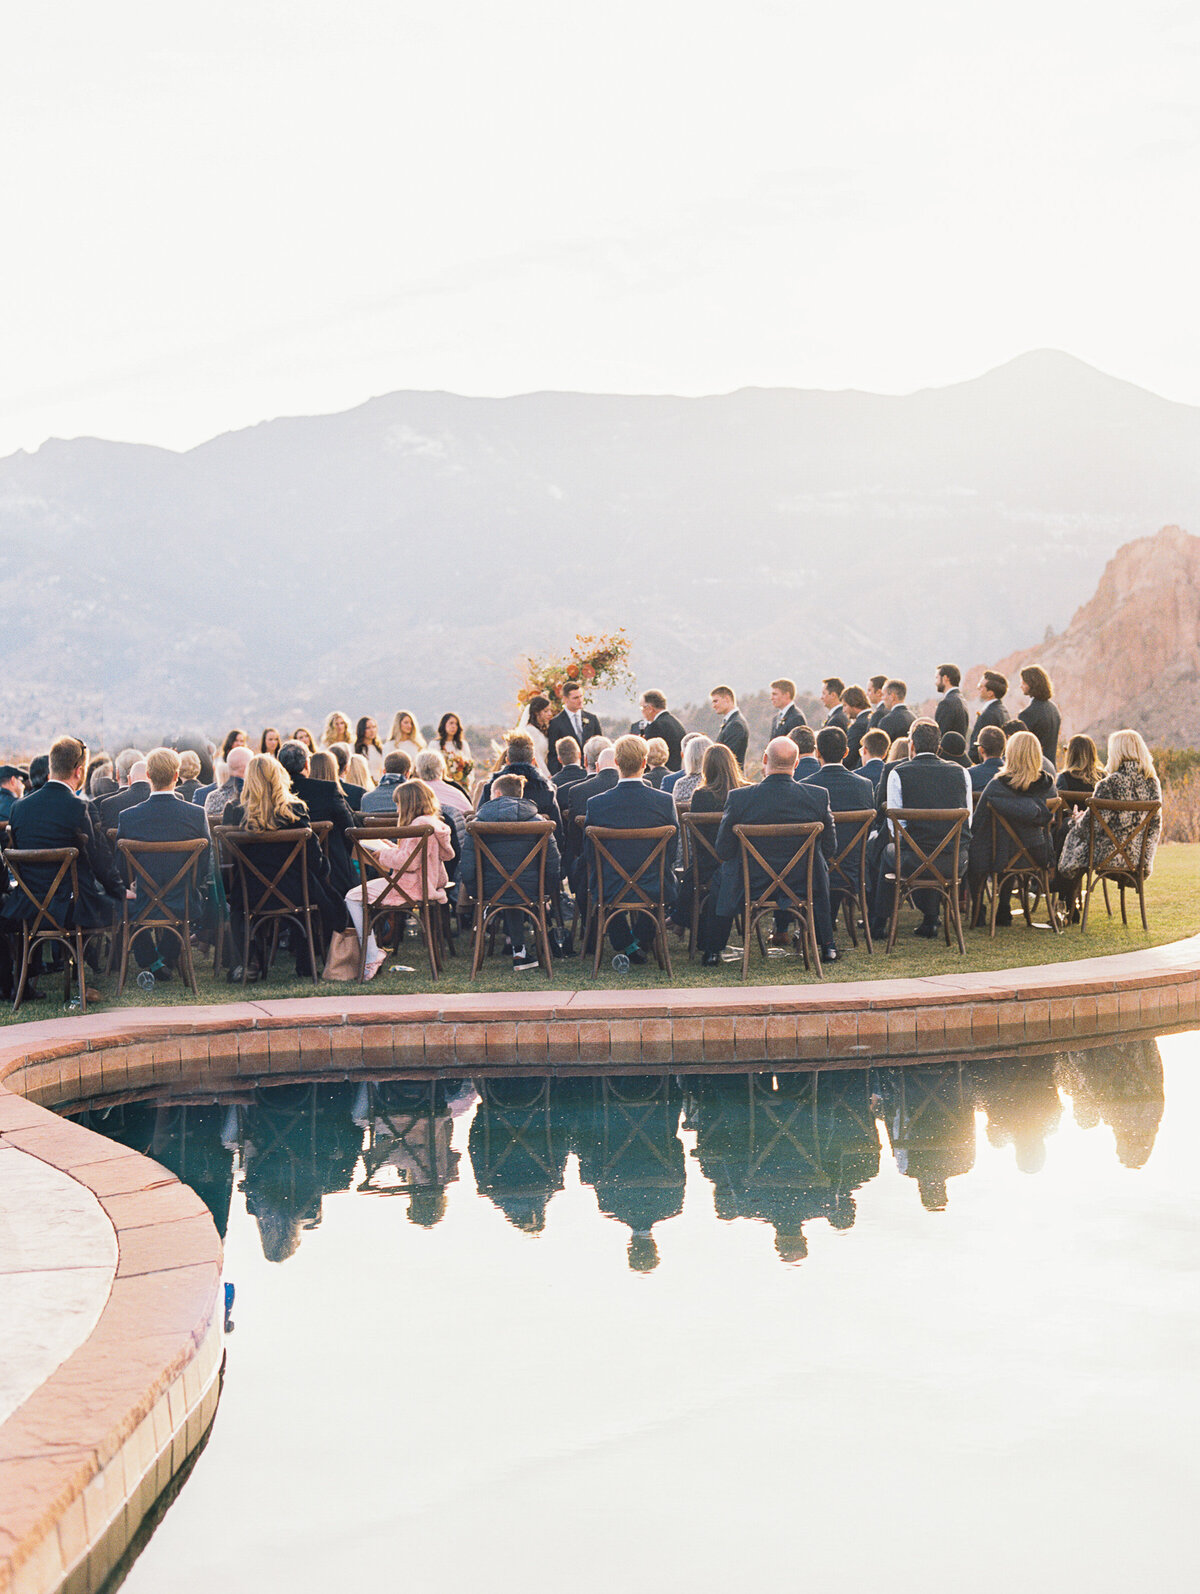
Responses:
[777,799]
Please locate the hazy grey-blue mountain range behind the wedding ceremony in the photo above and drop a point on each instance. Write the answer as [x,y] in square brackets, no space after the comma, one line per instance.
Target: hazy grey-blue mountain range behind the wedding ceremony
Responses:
[409,552]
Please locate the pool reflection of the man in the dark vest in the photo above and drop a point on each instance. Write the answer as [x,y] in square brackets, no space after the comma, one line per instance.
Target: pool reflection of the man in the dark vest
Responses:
[931,1126]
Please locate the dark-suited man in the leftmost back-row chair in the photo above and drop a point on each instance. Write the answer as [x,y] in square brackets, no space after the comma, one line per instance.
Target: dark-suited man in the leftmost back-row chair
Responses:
[55,817]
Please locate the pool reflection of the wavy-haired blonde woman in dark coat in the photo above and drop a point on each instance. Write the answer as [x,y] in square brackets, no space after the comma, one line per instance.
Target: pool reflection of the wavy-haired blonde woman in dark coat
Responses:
[299,1144]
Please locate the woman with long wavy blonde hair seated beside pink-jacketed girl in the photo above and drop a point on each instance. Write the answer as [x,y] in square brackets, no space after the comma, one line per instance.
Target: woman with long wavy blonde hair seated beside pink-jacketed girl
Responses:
[270,804]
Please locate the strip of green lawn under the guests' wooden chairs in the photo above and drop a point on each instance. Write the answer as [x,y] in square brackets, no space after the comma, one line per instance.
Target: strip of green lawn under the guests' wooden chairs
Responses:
[1174,909]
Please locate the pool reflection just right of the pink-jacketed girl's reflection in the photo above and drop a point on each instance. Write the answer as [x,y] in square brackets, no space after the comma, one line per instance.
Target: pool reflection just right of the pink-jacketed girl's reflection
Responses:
[519,1148]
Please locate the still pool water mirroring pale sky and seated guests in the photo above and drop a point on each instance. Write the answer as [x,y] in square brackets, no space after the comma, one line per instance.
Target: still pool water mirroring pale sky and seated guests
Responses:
[466,1386]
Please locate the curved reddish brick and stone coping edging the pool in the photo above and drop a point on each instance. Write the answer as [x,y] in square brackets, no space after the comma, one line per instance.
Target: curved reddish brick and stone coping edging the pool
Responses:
[87,1456]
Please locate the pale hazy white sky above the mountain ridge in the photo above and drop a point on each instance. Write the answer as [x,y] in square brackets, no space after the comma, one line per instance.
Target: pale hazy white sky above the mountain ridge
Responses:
[221,213]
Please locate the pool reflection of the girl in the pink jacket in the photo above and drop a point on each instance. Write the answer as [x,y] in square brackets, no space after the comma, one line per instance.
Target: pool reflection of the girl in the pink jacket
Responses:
[409,1142]
